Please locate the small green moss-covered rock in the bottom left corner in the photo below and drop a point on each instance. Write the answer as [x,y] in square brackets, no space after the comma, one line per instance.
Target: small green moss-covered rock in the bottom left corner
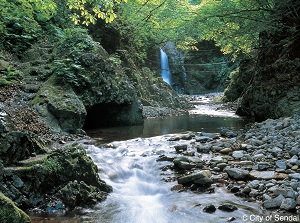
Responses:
[10,213]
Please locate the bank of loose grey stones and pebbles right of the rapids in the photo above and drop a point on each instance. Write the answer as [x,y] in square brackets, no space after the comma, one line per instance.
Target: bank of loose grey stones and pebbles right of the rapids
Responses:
[261,164]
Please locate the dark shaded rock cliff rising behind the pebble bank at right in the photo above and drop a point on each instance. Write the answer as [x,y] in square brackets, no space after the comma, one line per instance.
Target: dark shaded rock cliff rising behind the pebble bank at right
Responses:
[274,89]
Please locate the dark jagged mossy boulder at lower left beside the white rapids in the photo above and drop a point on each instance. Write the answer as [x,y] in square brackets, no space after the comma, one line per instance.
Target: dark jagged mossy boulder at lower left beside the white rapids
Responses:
[63,179]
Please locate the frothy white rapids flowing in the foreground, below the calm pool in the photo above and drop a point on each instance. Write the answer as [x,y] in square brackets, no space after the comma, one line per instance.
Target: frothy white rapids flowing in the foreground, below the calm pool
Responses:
[141,196]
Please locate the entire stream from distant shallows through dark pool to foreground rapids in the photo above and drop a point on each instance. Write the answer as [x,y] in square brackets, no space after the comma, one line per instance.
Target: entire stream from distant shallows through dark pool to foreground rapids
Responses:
[142,190]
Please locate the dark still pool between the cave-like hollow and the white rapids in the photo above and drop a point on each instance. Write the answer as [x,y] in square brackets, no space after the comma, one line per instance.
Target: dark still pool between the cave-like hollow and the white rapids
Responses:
[169,125]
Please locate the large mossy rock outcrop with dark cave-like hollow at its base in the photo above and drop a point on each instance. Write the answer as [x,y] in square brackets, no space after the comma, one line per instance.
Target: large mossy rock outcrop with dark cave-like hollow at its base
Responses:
[88,91]
